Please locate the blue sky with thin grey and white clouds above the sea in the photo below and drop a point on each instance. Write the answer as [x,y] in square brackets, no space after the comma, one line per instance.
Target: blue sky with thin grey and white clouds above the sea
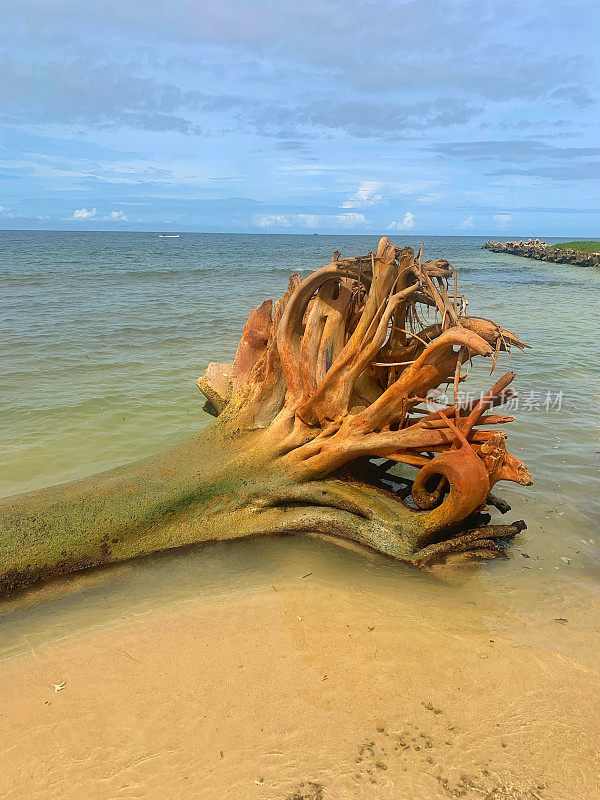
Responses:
[444,118]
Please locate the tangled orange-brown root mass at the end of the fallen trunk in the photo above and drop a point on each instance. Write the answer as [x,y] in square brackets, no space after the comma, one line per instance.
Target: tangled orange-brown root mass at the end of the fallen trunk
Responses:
[357,352]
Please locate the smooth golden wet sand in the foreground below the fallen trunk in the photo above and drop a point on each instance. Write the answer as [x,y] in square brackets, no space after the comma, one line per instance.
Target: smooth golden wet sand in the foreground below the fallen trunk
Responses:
[359,680]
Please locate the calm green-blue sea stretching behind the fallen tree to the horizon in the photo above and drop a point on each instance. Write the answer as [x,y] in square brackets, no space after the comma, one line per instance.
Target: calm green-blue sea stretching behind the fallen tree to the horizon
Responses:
[104,335]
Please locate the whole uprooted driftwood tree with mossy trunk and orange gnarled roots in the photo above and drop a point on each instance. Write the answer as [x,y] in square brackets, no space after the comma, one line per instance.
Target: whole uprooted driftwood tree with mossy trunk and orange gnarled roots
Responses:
[329,380]
